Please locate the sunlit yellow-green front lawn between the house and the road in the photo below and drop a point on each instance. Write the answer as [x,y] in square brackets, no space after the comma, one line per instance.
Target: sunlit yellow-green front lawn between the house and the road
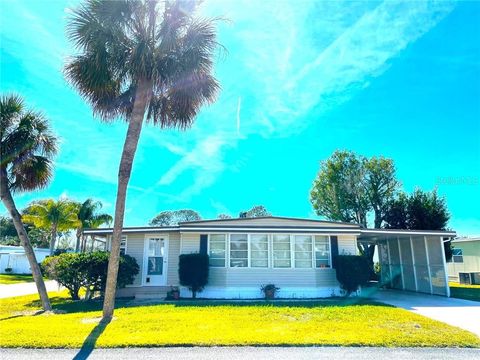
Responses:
[205,323]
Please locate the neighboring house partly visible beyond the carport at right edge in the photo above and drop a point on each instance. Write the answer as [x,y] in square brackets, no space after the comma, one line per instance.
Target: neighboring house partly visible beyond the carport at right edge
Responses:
[466,257]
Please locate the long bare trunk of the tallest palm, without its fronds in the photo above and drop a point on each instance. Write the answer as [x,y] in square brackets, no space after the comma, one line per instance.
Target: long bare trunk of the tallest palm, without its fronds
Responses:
[142,98]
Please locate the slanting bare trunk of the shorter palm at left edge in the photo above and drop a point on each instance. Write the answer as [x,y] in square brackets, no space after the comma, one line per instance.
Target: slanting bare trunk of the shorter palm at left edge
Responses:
[9,203]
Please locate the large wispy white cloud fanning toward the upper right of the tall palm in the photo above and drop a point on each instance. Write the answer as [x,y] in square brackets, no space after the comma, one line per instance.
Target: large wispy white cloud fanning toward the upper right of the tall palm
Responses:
[308,55]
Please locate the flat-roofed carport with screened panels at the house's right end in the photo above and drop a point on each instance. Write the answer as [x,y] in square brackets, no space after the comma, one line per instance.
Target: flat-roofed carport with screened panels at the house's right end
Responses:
[411,260]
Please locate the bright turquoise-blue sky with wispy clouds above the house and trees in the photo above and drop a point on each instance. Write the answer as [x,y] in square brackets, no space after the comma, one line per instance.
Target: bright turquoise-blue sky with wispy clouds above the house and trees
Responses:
[300,80]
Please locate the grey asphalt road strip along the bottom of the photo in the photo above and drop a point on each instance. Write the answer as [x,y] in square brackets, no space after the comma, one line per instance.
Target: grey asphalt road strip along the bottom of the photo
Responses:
[244,353]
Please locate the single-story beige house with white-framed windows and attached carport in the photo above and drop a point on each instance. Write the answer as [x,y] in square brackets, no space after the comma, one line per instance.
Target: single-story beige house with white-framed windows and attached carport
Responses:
[294,254]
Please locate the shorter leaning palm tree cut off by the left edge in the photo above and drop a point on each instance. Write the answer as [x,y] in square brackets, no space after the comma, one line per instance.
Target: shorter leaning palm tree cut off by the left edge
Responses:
[27,148]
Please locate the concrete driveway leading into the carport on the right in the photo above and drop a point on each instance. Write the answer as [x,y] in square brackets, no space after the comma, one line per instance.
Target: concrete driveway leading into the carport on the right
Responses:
[464,314]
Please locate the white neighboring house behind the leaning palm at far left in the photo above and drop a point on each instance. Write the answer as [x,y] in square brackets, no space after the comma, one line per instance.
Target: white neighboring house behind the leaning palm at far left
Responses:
[14,257]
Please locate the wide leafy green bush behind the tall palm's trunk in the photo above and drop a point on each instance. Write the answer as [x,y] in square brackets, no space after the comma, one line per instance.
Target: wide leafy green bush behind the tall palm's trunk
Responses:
[88,271]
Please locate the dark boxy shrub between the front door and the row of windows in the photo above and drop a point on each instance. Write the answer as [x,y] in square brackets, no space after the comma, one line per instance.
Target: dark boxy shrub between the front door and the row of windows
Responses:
[193,272]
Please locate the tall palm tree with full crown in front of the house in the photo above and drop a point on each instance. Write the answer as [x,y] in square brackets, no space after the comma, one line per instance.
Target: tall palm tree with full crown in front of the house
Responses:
[140,60]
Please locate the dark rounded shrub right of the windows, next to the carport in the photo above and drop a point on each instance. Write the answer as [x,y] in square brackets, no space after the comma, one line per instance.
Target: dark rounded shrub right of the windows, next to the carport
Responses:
[352,272]
